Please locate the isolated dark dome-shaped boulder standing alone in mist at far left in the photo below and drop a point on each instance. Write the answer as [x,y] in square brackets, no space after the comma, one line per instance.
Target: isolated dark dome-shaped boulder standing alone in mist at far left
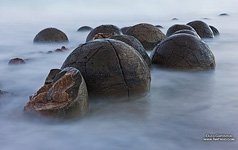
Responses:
[50,35]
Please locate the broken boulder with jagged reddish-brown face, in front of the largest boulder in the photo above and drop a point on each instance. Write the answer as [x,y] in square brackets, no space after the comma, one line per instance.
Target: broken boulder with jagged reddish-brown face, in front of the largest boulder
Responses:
[63,94]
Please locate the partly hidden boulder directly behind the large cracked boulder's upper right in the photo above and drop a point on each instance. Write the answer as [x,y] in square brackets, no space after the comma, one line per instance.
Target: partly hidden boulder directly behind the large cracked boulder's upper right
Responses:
[132,41]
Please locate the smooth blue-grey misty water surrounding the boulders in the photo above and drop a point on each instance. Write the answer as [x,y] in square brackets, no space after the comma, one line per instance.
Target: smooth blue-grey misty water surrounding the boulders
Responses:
[181,108]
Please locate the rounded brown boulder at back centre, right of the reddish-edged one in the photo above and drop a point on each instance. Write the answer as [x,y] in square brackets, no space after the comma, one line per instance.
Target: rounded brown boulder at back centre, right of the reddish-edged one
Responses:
[147,34]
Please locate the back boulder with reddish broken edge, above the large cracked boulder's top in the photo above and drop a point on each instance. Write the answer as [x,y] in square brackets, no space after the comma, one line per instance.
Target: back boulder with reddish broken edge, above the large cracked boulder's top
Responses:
[106,29]
